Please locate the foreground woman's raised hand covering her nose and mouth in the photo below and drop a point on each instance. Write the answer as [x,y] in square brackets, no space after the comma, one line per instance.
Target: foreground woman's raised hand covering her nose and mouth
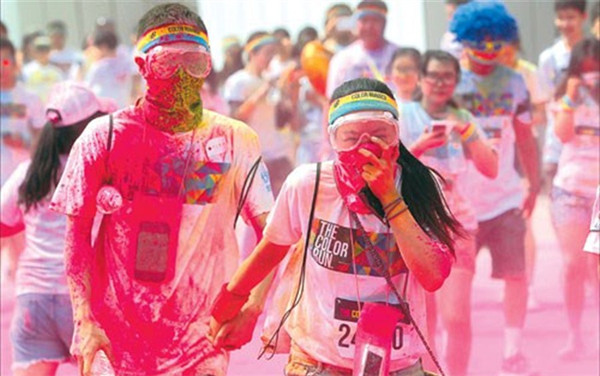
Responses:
[379,173]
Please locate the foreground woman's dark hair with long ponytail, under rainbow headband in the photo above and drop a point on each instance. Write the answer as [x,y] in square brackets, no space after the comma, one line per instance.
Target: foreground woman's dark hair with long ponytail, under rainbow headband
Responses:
[420,190]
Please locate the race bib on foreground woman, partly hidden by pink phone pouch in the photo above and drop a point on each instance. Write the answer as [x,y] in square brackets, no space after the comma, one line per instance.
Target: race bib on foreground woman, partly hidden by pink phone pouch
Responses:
[346,317]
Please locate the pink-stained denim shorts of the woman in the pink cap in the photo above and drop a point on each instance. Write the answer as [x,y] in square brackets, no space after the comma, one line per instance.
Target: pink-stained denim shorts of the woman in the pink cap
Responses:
[41,329]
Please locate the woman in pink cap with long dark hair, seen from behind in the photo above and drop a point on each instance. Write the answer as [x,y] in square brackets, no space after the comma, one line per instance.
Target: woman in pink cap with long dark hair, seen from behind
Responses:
[42,326]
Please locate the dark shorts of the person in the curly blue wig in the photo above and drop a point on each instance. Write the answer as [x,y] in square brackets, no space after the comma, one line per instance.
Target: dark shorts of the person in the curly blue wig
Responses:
[504,235]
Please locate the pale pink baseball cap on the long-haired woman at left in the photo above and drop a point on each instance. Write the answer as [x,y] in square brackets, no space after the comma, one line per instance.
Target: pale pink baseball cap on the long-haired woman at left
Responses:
[70,102]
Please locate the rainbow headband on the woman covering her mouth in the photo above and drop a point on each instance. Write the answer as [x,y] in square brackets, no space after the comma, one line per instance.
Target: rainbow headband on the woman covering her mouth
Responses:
[362,101]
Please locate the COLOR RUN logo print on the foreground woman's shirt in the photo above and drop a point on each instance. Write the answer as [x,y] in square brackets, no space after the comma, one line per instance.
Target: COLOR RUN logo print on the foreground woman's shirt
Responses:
[333,246]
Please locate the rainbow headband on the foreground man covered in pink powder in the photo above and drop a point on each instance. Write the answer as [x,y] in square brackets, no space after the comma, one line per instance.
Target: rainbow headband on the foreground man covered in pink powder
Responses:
[172,33]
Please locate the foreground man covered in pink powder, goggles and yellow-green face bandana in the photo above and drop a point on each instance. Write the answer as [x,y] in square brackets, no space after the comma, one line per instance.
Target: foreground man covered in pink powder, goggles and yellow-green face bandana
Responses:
[168,179]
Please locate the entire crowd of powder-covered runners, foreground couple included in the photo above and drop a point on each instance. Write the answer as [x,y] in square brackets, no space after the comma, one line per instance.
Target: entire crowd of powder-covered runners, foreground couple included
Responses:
[368,177]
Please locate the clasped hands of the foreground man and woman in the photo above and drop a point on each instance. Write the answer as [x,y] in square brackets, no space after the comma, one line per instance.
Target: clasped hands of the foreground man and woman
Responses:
[235,333]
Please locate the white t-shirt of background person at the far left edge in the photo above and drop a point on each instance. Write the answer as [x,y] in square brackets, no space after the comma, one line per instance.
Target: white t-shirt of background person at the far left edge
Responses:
[20,111]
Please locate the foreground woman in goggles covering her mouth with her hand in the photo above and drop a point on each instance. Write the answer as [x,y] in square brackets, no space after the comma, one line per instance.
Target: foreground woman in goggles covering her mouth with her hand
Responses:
[377,235]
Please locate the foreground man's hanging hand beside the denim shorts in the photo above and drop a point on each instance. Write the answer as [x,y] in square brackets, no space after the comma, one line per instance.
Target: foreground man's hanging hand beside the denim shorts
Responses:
[92,339]
